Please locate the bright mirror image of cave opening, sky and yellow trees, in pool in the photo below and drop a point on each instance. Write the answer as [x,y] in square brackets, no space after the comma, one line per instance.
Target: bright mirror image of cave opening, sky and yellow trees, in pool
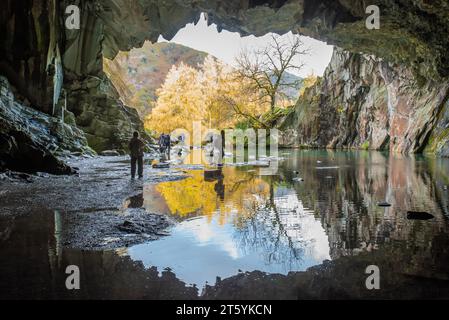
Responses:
[240,222]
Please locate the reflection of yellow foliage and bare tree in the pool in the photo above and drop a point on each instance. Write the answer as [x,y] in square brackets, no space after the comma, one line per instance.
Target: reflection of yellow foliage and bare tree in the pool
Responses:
[248,202]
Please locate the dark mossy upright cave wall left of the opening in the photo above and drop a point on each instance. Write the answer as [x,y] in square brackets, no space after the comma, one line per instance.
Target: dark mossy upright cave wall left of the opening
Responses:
[35,39]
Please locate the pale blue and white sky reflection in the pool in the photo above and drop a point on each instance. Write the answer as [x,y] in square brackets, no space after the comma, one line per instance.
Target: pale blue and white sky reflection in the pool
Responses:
[199,250]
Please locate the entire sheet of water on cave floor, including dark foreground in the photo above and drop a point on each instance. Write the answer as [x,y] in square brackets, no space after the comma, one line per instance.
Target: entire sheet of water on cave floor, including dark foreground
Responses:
[240,221]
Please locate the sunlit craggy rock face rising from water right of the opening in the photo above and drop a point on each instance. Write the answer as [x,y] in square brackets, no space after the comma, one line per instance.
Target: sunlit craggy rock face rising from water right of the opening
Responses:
[365,102]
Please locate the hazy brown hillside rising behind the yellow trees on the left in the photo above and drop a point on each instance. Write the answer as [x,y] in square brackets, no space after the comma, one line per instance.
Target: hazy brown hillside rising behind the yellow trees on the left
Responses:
[137,74]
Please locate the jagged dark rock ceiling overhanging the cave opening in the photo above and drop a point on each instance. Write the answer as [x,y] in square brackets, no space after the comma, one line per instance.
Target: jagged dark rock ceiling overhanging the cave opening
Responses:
[412,32]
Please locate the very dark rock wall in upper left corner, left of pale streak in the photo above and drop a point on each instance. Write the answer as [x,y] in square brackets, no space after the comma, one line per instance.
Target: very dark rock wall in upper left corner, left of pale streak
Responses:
[27,47]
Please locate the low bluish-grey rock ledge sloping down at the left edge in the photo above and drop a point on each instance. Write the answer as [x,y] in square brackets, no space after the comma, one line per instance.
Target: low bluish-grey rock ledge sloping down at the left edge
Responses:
[30,140]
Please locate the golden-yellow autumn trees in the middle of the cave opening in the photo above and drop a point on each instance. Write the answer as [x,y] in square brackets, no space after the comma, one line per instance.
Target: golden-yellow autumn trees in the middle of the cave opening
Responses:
[210,94]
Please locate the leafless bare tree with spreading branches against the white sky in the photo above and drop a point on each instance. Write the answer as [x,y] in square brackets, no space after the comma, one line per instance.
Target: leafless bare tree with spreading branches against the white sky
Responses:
[265,68]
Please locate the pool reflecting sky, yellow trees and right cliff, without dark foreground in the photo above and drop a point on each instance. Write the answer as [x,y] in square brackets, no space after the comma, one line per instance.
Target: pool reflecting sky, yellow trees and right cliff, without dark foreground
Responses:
[318,206]
